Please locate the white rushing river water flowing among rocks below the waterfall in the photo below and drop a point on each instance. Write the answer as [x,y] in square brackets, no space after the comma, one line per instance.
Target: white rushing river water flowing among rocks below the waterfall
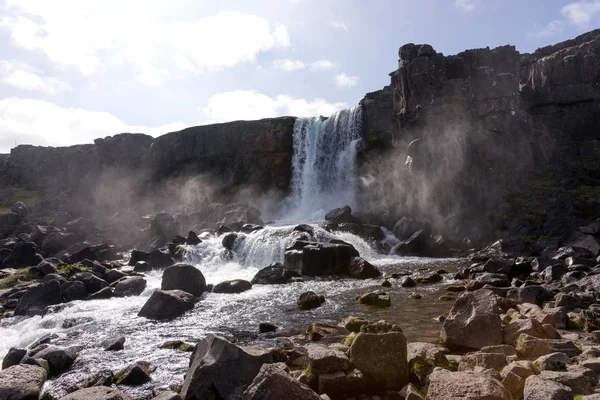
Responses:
[85,324]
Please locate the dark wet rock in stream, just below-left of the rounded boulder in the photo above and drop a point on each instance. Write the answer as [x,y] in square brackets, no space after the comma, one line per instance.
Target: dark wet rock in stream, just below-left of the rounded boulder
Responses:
[165,304]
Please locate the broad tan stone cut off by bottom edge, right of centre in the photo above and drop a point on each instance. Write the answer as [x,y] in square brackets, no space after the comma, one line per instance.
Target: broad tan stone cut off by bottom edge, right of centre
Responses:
[444,384]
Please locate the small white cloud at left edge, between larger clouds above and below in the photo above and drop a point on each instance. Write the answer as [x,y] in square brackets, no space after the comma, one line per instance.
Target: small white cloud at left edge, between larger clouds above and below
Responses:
[25,77]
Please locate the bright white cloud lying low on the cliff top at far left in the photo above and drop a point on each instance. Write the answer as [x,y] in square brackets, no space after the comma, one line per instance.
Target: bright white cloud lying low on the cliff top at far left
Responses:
[28,121]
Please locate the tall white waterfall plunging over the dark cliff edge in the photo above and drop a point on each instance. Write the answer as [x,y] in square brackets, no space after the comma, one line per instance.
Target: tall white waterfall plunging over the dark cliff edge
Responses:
[324,163]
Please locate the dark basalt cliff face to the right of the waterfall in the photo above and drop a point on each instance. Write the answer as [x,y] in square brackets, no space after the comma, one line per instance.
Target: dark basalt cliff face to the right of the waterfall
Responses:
[484,136]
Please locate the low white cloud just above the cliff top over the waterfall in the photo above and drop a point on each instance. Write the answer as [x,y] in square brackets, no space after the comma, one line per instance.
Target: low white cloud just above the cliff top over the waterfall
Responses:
[248,105]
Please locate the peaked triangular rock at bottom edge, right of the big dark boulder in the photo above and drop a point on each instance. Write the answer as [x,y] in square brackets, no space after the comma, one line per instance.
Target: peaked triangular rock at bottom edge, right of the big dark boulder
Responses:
[273,383]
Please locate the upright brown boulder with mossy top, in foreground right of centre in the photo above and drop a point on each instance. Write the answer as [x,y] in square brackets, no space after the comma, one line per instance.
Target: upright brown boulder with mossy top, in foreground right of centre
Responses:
[380,353]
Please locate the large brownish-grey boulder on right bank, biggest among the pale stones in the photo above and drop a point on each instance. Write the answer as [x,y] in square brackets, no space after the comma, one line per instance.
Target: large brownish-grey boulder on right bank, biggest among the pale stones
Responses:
[472,314]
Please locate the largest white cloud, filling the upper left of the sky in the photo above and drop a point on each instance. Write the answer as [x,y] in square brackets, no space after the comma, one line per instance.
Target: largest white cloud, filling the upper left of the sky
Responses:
[90,35]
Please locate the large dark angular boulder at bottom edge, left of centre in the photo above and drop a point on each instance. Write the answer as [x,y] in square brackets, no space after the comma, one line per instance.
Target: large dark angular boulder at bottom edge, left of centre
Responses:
[210,374]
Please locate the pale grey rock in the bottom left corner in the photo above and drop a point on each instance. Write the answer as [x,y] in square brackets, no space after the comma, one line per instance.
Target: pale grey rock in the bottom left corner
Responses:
[22,382]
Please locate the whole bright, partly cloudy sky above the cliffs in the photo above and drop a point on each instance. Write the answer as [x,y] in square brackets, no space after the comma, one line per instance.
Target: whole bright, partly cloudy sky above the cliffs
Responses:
[75,70]
